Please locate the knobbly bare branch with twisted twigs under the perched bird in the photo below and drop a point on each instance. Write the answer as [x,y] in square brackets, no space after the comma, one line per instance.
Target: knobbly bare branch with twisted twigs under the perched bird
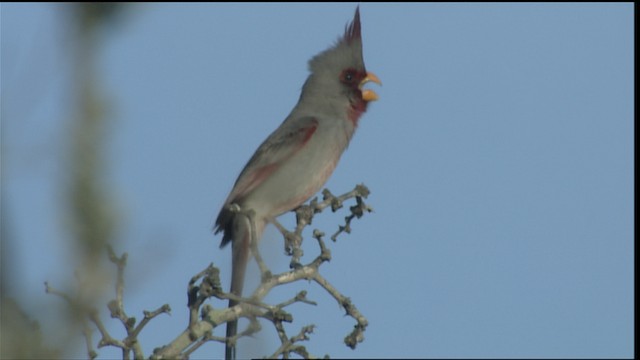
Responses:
[206,287]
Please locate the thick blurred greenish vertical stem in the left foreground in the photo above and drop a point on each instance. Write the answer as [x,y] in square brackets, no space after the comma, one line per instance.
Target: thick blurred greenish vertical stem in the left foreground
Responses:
[91,213]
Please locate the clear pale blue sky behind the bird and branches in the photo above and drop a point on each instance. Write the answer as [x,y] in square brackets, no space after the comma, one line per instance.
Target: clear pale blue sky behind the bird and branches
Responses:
[499,157]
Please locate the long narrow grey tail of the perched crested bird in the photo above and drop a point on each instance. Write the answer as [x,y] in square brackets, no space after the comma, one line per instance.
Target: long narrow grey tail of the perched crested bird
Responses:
[241,248]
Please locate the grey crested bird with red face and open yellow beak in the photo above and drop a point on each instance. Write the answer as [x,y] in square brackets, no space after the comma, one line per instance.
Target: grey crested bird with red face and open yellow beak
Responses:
[297,159]
